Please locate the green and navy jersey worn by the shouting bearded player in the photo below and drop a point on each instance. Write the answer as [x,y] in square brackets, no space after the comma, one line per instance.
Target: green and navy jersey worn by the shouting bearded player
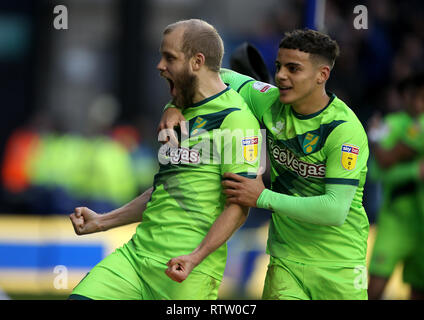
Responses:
[224,136]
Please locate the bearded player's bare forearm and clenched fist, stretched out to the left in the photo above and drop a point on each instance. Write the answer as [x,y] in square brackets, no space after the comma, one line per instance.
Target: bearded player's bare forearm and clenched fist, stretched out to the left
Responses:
[87,221]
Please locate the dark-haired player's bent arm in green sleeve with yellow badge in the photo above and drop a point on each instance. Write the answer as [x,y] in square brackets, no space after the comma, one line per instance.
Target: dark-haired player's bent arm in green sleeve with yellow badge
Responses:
[346,150]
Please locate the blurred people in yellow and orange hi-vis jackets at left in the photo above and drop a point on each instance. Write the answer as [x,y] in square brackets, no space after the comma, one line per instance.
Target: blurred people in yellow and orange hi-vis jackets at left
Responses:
[48,172]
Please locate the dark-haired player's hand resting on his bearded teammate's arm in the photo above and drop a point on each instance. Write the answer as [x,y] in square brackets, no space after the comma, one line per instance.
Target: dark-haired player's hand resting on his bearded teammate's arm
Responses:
[241,190]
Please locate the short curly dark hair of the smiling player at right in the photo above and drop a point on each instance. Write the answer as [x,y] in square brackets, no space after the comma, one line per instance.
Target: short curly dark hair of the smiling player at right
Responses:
[316,43]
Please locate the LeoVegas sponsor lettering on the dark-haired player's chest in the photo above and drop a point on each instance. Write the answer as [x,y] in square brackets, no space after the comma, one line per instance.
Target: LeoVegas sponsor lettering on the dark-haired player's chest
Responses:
[286,158]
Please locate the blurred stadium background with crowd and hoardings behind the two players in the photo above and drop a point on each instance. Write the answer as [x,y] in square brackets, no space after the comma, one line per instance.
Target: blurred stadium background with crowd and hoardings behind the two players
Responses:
[79,110]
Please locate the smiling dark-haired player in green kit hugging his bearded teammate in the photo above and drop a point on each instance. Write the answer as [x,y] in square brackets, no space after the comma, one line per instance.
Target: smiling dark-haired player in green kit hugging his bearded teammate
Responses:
[318,151]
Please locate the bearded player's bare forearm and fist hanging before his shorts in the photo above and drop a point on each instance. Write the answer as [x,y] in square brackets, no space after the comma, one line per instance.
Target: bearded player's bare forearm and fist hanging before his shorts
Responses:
[231,219]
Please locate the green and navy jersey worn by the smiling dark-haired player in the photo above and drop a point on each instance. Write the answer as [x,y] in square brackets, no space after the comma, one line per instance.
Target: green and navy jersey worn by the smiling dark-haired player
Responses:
[306,153]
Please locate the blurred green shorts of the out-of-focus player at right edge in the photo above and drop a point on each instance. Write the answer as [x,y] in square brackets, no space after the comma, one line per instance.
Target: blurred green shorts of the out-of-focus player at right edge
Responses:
[397,235]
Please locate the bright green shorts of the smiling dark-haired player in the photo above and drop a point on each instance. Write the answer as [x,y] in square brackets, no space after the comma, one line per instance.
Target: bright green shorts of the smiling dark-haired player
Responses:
[289,280]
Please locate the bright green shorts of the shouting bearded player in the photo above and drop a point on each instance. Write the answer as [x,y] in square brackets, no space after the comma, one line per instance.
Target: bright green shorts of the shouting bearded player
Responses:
[124,275]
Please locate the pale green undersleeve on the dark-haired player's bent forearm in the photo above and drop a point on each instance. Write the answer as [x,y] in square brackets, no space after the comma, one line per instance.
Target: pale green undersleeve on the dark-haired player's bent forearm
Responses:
[329,209]
